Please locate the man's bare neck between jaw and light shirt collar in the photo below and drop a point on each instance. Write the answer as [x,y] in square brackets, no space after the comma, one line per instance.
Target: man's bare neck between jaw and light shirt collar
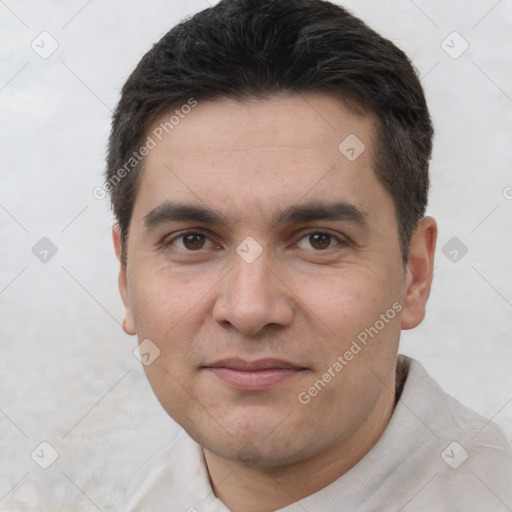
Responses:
[243,488]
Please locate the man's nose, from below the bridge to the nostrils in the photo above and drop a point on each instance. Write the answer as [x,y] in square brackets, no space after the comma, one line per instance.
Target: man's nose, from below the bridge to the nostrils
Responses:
[253,296]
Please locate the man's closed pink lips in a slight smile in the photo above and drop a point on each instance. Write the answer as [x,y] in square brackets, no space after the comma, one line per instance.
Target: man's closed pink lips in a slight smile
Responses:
[253,375]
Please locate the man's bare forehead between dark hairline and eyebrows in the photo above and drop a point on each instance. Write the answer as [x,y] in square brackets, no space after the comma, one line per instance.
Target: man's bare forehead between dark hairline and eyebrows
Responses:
[258,156]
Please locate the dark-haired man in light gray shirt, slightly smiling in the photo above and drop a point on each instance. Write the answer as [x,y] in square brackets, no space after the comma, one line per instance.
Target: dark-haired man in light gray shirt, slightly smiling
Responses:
[268,168]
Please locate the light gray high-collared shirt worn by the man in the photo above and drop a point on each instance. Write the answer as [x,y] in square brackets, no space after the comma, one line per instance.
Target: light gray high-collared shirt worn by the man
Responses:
[435,455]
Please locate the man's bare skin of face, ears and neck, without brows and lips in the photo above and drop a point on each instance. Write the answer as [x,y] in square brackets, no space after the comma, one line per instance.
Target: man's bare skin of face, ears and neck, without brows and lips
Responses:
[297,301]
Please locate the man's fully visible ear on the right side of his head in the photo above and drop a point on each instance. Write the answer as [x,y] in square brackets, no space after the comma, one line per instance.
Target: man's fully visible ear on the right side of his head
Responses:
[419,272]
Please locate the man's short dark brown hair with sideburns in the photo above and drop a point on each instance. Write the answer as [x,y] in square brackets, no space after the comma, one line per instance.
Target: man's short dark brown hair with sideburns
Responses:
[254,48]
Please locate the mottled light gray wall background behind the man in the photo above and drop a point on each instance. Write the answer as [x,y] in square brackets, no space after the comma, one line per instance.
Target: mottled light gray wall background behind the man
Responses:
[68,375]
